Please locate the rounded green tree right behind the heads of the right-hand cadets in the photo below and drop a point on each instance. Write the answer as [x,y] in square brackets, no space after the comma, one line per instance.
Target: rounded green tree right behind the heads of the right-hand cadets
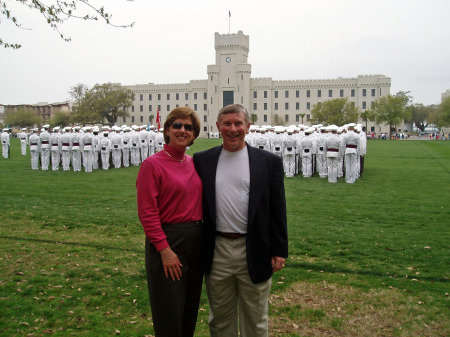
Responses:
[338,111]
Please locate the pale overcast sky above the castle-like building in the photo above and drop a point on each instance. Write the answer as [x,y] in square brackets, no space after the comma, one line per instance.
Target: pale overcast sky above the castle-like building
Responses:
[172,41]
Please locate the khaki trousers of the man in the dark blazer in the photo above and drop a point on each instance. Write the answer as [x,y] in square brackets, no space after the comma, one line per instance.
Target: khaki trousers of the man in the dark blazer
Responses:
[232,294]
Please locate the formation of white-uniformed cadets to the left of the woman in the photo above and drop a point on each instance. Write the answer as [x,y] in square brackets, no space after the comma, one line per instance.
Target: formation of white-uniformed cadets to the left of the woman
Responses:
[89,147]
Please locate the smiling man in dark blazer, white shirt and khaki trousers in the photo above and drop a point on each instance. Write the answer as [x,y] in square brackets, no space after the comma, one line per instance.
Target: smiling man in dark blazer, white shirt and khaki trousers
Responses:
[245,230]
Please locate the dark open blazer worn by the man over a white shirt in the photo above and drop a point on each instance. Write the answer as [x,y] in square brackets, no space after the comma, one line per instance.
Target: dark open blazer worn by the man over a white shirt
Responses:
[267,225]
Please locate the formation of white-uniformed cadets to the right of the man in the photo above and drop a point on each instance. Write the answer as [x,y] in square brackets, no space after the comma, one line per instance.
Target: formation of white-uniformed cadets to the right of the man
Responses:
[332,151]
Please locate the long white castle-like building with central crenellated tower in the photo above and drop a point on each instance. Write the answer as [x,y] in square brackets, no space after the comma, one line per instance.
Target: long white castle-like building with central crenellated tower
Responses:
[229,81]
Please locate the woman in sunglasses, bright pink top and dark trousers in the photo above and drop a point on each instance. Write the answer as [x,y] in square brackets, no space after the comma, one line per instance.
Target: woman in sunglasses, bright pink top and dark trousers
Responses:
[169,197]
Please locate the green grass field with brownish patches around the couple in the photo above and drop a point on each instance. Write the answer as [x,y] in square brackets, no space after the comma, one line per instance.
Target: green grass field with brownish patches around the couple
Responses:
[366,259]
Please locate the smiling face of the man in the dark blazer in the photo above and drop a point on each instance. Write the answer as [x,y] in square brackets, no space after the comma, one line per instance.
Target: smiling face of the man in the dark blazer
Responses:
[233,128]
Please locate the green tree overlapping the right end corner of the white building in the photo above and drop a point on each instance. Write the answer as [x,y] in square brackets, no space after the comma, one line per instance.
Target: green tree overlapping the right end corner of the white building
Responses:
[391,109]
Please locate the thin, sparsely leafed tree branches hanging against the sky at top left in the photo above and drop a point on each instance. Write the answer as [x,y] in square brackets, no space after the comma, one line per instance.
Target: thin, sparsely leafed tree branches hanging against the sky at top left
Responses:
[56,12]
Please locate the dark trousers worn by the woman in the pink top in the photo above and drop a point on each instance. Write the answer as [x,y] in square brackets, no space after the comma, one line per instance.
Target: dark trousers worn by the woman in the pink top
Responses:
[175,303]
